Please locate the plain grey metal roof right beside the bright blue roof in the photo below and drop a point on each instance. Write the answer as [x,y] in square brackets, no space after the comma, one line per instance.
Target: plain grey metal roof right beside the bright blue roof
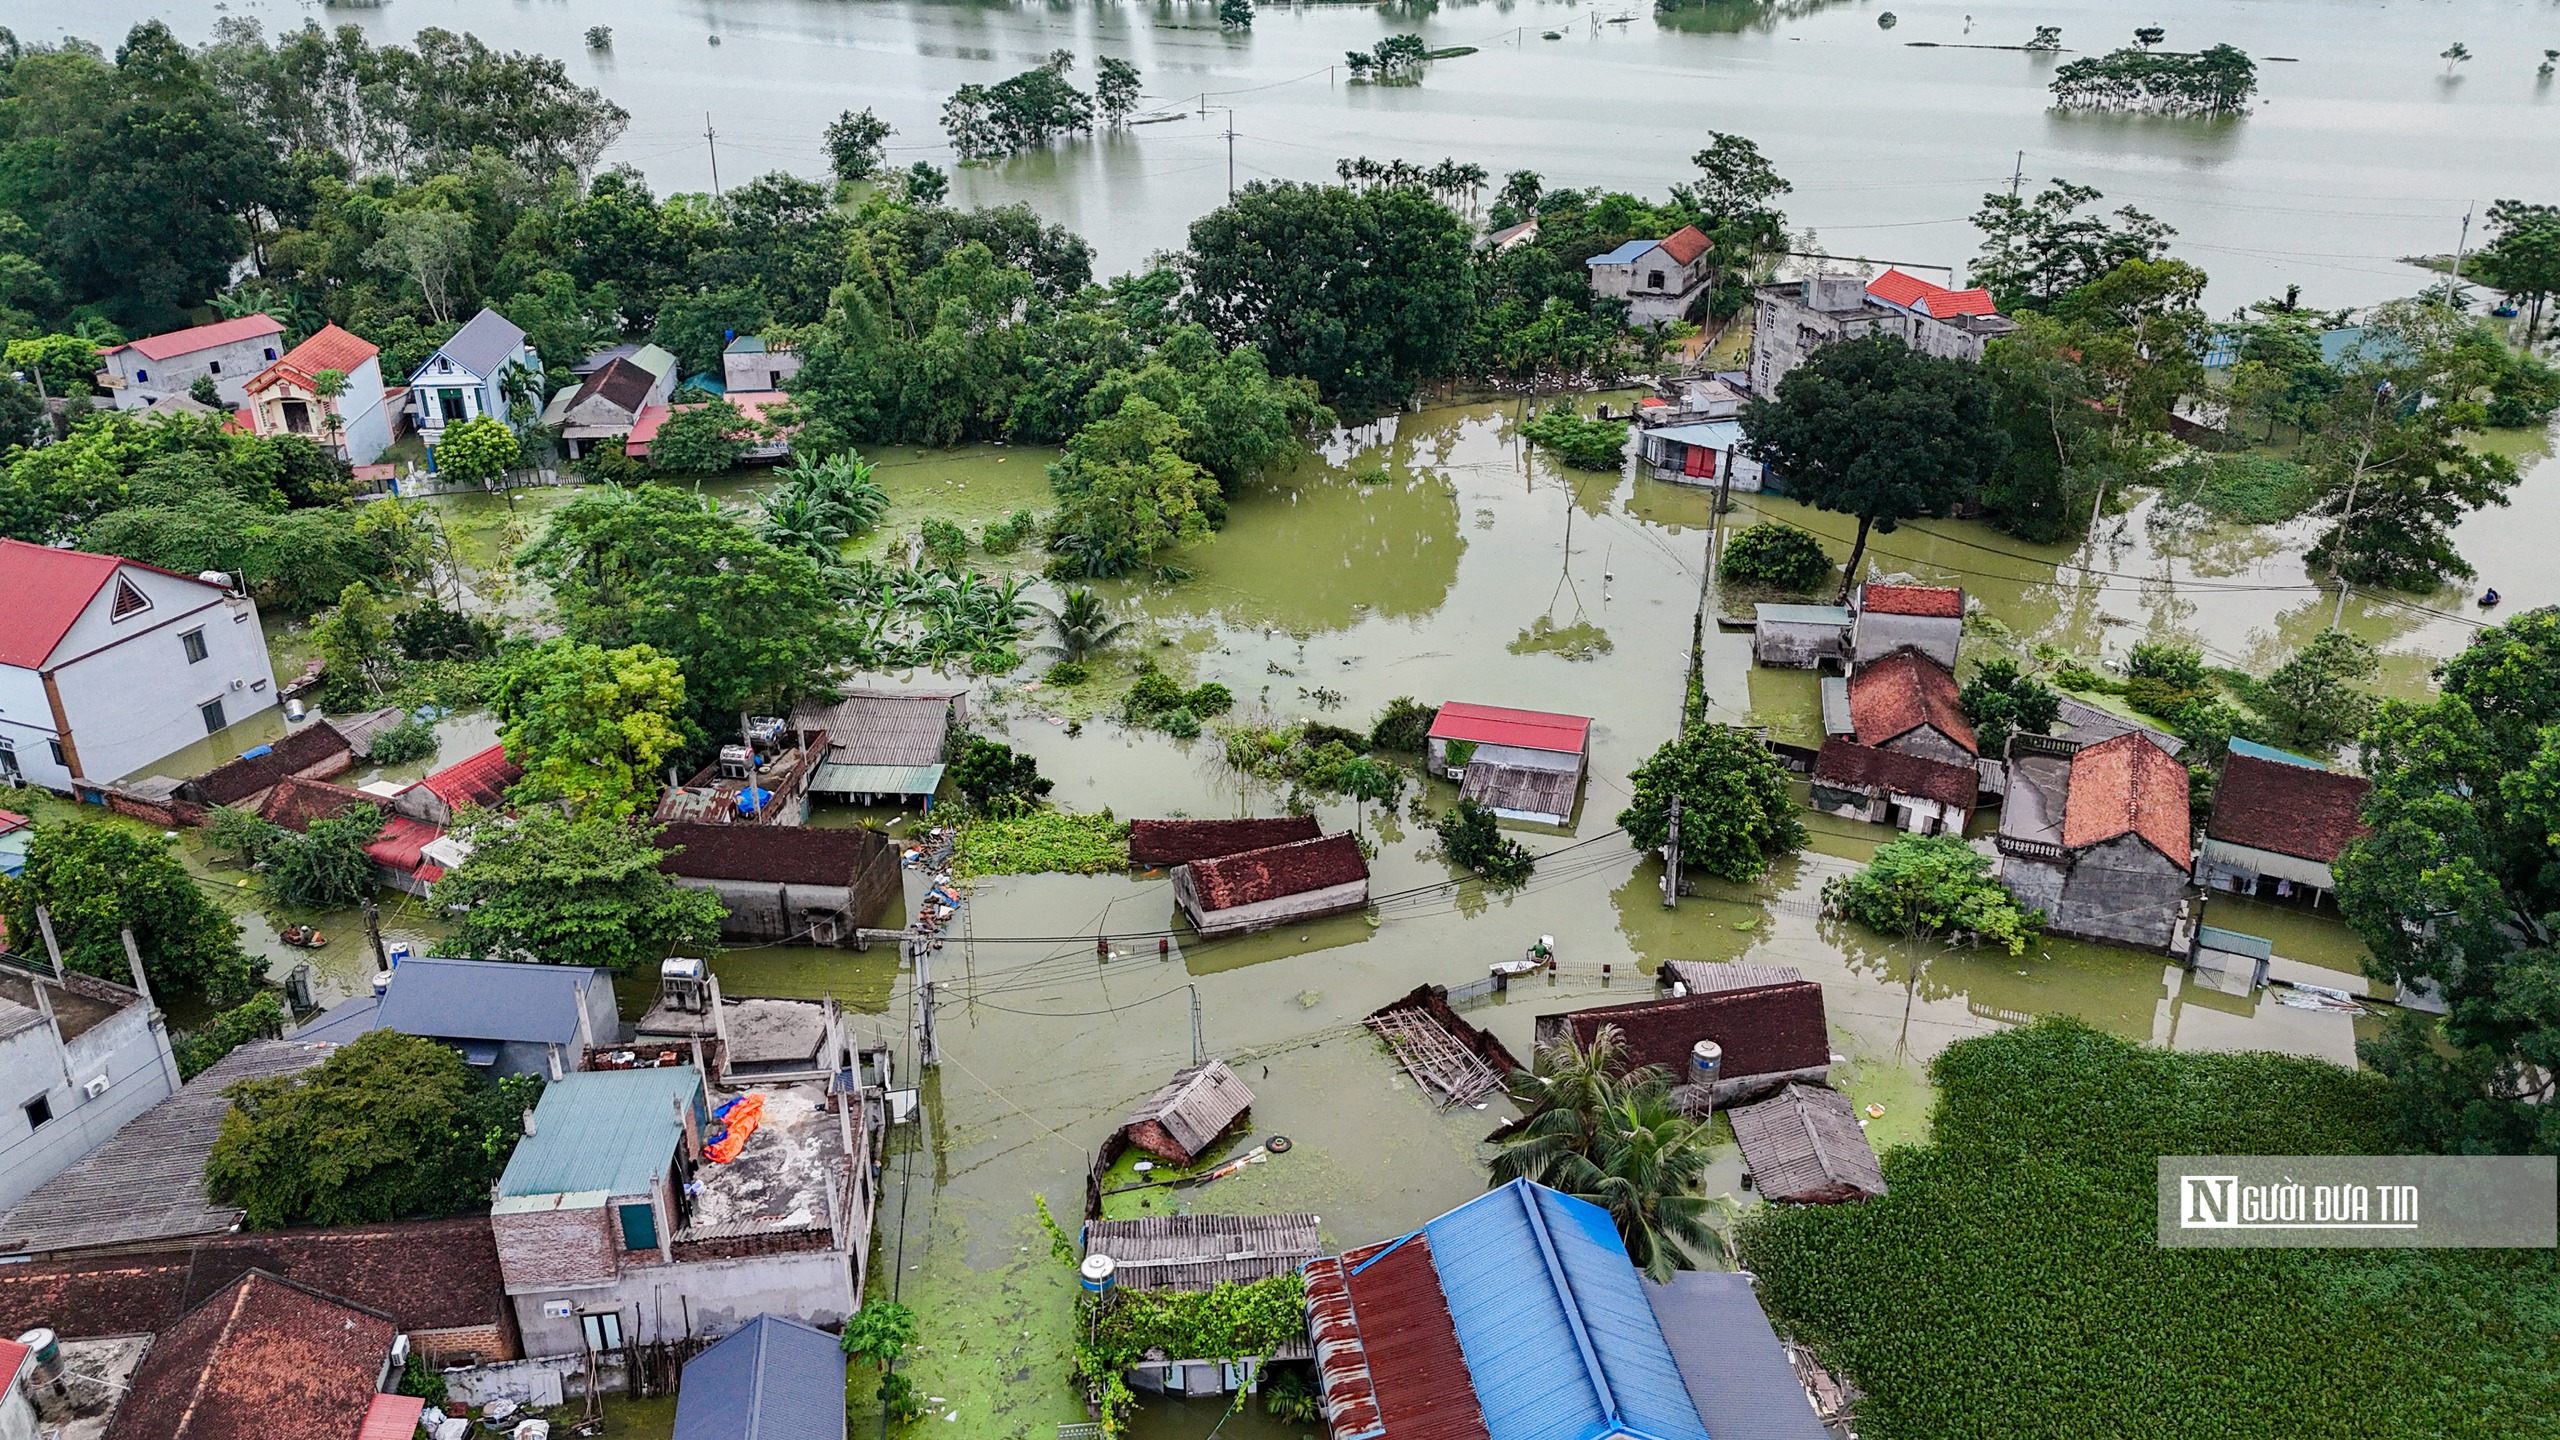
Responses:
[1732,1362]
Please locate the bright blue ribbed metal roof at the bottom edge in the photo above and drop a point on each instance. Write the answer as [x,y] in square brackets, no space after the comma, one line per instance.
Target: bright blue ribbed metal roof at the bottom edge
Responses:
[1553,1318]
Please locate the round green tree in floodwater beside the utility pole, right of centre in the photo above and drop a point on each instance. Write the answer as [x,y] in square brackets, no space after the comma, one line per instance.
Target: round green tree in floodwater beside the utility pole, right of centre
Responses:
[1734,806]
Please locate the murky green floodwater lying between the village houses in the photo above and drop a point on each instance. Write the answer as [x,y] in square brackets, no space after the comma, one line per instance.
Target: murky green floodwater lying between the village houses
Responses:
[1430,557]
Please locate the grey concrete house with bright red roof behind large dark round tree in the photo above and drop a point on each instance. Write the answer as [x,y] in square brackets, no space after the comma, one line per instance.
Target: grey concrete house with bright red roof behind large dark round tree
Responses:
[1801,316]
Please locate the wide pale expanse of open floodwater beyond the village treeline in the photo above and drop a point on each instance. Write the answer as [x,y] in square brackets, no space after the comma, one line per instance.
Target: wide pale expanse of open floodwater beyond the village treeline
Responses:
[2364,147]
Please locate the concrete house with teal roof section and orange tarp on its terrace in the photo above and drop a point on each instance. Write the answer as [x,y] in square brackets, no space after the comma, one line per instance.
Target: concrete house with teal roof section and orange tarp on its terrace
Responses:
[646,1208]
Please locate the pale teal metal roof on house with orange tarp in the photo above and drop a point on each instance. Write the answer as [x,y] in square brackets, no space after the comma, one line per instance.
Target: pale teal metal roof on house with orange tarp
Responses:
[603,1131]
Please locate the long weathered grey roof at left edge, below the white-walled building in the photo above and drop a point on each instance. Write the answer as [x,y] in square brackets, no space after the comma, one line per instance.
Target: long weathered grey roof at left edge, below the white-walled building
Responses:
[147,1182]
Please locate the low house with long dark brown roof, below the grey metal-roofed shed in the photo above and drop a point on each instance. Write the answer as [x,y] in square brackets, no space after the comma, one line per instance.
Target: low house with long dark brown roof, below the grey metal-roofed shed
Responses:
[787,885]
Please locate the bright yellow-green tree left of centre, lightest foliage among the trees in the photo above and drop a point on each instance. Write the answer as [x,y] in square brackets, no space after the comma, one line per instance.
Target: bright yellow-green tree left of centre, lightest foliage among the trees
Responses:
[590,726]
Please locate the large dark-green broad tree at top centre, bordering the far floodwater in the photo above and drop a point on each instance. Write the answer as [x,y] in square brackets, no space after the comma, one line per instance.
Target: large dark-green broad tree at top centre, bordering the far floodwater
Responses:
[1366,293]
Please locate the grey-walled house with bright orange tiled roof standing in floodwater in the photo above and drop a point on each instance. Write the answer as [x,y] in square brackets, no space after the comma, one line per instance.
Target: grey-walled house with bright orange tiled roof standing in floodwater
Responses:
[2100,839]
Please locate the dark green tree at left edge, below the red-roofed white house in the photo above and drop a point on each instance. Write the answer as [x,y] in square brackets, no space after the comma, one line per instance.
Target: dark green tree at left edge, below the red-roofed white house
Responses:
[101,880]
